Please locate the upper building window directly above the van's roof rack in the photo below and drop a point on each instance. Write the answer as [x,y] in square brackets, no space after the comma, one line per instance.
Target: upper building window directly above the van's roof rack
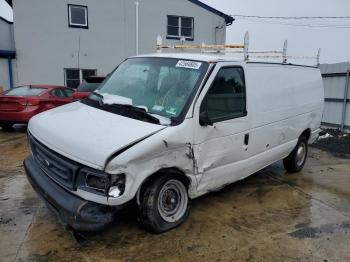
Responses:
[179,26]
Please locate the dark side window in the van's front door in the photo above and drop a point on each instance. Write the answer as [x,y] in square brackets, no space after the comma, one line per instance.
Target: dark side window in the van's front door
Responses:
[226,96]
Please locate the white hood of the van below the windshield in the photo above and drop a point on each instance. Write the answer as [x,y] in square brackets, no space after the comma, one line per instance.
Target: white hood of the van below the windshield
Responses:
[86,134]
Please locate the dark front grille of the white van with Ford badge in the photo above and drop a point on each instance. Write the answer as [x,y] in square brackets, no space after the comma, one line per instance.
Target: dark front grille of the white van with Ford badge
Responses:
[56,166]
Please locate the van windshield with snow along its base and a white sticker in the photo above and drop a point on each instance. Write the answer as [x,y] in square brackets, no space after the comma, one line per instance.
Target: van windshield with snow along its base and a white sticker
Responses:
[160,86]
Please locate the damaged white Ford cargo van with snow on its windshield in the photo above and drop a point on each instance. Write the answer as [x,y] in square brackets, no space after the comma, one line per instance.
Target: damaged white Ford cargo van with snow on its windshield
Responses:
[163,129]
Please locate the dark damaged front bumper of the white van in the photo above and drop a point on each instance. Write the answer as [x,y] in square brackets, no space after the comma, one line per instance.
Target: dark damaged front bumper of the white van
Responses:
[75,212]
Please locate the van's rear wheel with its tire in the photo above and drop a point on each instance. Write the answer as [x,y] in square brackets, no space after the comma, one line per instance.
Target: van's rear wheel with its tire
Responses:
[297,158]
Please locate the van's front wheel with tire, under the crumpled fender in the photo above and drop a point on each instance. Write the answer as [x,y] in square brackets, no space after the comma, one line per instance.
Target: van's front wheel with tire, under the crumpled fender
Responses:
[165,204]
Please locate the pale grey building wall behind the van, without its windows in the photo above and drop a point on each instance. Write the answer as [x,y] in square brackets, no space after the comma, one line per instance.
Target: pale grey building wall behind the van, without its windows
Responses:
[45,44]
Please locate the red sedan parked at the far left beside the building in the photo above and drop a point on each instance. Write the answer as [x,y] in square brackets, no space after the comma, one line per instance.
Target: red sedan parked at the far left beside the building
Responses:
[19,104]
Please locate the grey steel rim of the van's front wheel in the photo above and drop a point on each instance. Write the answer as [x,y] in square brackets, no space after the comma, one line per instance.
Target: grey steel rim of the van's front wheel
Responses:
[172,201]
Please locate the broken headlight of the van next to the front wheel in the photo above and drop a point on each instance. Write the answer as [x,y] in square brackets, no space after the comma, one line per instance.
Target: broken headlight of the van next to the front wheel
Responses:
[100,182]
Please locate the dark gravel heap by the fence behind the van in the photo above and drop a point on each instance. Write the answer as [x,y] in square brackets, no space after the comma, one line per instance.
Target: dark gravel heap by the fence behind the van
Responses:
[335,142]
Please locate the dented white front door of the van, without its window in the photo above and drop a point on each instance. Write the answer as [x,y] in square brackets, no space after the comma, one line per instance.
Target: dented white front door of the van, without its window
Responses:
[219,147]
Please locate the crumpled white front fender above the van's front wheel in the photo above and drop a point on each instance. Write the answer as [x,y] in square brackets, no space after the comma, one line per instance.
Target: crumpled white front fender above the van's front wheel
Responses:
[166,149]
